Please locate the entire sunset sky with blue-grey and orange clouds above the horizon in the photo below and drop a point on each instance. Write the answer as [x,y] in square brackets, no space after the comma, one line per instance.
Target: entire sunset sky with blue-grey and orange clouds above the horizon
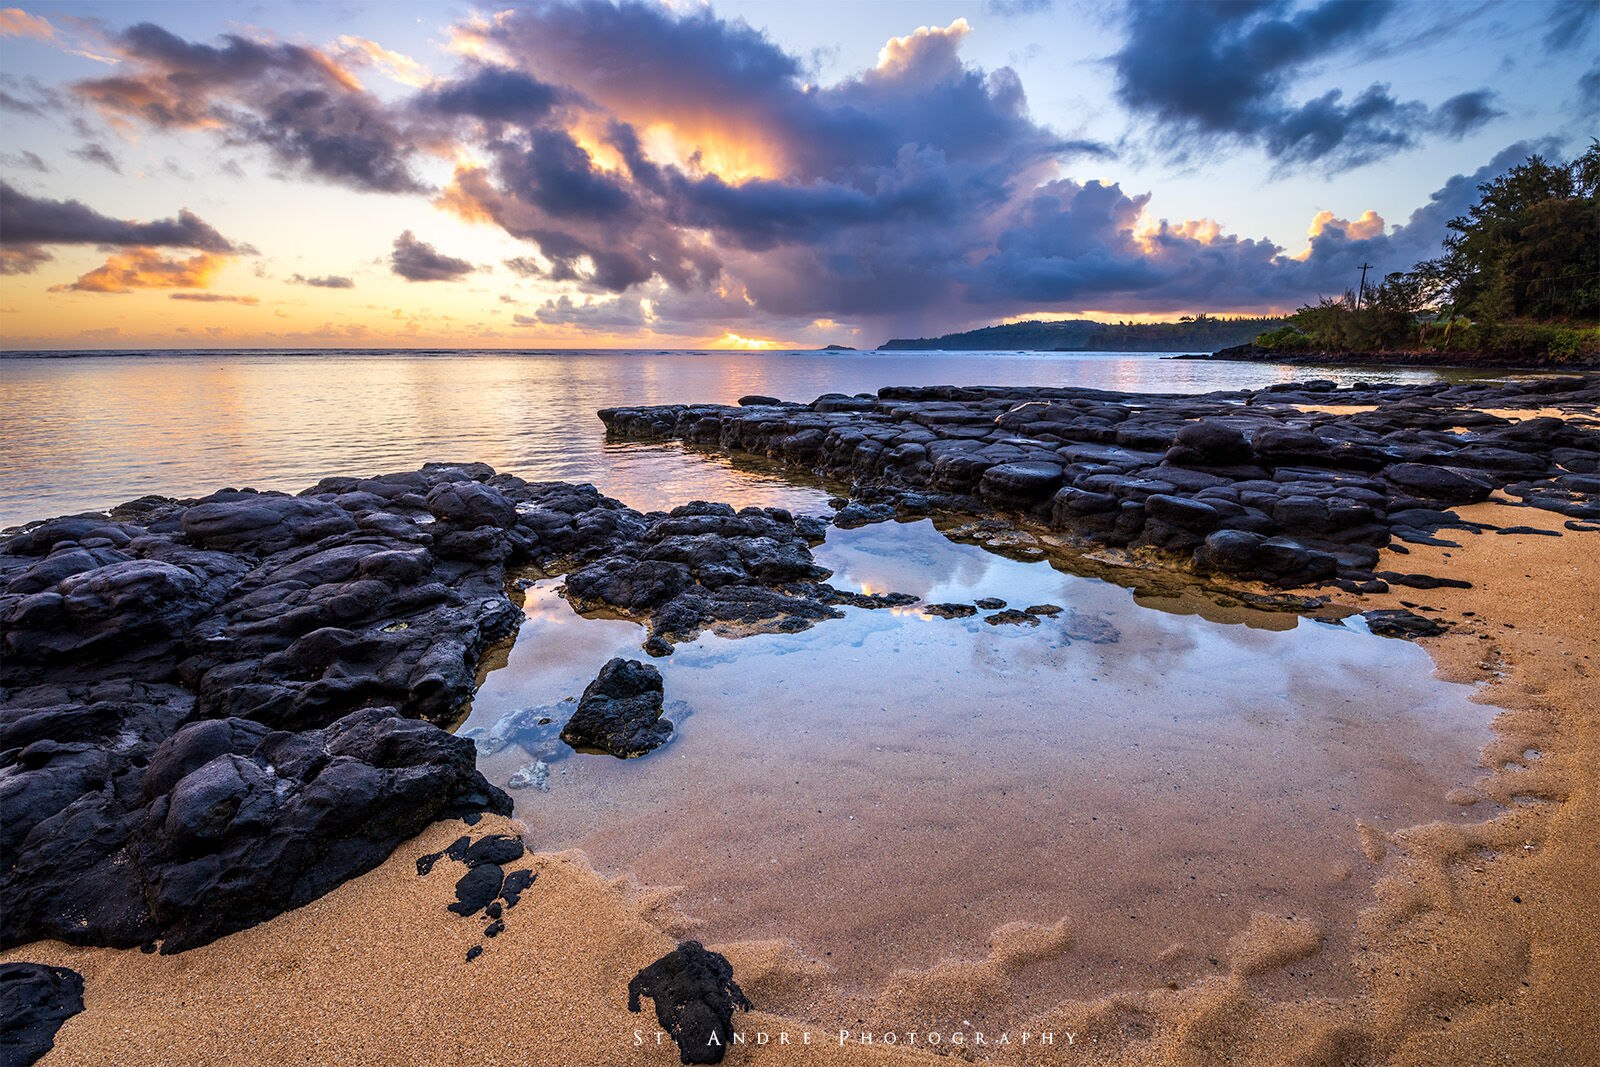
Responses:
[793,174]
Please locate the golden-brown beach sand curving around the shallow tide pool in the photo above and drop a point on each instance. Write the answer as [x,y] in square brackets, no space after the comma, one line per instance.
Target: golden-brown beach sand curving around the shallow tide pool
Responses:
[1478,946]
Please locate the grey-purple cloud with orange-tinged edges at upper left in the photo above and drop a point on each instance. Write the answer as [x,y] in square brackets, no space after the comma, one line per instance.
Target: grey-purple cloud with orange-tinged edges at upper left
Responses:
[292,100]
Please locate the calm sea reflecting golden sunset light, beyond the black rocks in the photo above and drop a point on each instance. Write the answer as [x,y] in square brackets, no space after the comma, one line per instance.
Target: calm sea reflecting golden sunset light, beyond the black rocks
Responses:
[92,431]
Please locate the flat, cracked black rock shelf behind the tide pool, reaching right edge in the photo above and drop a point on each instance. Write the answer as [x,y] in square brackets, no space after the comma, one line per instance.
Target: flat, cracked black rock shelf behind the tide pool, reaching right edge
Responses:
[1249,484]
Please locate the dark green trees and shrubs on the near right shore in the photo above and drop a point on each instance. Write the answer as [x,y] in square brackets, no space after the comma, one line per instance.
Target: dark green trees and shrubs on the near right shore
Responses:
[1518,279]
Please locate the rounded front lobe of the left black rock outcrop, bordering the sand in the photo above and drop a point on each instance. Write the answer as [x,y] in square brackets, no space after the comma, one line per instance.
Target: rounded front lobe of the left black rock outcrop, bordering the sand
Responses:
[230,826]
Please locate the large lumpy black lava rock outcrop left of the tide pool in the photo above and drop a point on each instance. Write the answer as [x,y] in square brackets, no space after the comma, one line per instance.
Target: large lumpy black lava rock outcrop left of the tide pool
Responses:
[214,711]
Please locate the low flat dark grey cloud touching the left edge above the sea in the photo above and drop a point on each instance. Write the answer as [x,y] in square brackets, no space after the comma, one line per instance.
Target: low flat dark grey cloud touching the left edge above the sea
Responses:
[33,222]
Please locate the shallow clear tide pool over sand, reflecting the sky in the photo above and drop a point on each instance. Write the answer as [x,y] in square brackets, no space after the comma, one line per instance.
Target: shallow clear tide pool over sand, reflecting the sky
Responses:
[890,788]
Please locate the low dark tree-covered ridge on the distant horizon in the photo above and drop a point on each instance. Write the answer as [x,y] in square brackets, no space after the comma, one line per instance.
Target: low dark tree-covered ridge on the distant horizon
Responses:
[1086,335]
